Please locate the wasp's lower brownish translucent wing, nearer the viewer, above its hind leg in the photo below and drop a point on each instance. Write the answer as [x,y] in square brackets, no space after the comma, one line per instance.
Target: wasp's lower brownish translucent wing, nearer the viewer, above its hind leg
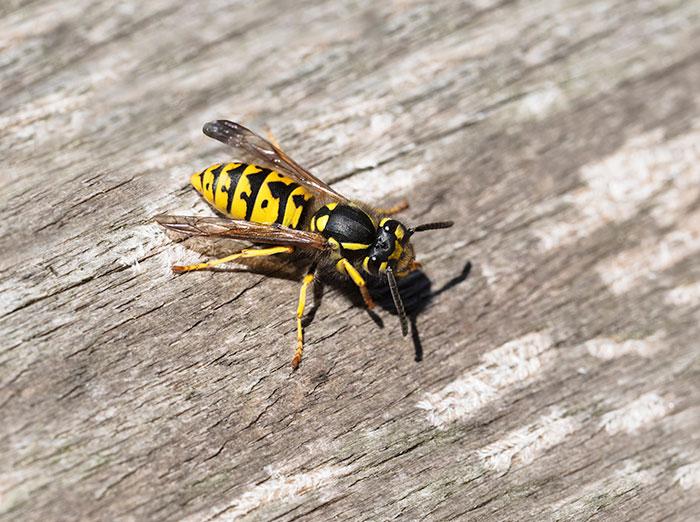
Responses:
[273,234]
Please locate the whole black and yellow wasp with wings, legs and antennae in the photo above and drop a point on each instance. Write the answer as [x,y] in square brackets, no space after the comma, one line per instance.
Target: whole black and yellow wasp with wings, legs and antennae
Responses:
[281,208]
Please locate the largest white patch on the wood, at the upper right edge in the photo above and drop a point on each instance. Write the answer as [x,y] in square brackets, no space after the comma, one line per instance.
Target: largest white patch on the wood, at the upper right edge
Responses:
[646,171]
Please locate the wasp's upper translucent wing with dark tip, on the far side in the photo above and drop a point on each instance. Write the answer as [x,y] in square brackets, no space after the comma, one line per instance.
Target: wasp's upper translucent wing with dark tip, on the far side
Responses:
[239,137]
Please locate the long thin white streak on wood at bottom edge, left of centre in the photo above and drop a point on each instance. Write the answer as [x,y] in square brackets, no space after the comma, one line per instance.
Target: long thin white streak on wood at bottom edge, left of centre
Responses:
[278,490]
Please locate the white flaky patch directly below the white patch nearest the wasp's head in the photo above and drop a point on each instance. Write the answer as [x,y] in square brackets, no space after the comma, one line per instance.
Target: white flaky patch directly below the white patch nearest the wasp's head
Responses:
[525,444]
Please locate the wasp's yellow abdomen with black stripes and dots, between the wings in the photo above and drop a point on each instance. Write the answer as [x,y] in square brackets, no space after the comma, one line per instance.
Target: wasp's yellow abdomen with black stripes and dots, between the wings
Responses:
[253,193]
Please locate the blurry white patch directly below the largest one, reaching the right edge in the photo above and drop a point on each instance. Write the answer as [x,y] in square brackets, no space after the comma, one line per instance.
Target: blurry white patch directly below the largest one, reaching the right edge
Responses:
[625,270]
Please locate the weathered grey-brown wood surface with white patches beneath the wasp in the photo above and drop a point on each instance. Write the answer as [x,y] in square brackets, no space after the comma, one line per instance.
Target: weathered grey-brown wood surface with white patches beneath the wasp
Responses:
[559,380]
